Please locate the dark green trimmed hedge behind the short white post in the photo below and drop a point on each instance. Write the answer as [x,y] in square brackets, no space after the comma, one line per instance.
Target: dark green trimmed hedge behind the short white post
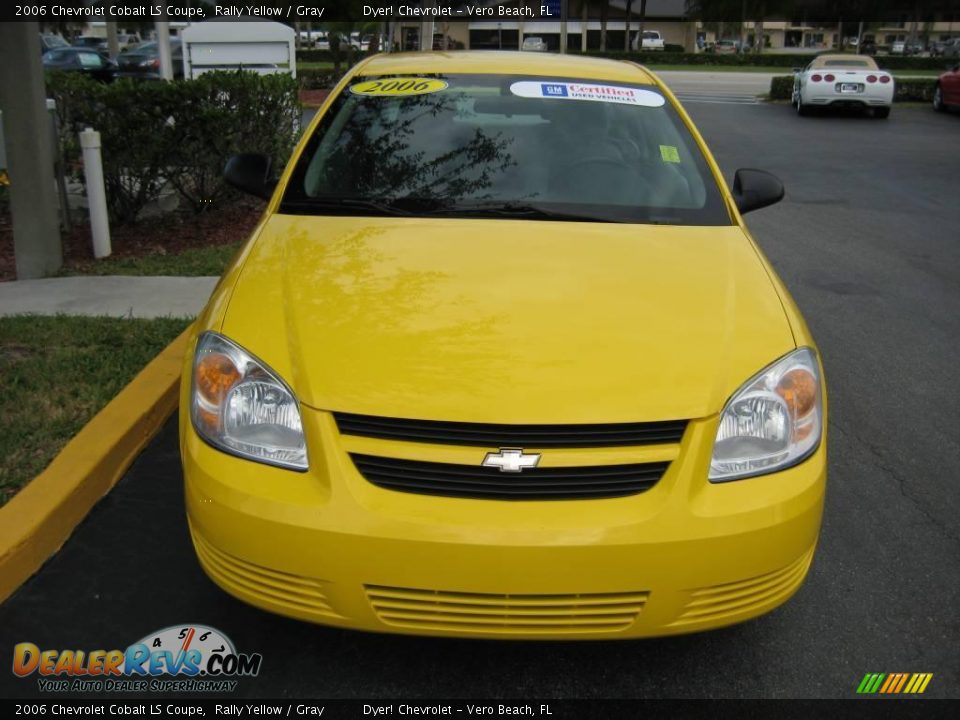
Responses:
[155,133]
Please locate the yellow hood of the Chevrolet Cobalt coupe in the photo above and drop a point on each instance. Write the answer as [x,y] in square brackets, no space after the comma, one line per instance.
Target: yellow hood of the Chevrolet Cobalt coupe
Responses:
[507,321]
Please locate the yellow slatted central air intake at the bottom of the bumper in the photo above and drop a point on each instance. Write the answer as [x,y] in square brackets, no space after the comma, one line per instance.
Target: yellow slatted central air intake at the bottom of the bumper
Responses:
[505,614]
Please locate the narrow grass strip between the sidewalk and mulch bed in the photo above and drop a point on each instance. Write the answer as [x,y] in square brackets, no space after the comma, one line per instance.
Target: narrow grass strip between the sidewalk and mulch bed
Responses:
[190,262]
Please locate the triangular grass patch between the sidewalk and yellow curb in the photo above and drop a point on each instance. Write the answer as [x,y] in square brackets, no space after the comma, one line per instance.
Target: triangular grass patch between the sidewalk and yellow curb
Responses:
[58,372]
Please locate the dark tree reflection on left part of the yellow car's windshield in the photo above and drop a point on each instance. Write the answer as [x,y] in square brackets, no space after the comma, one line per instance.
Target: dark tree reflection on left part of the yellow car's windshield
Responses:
[388,167]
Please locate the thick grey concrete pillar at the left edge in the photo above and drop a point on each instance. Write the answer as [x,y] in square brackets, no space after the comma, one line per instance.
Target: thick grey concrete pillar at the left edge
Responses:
[30,156]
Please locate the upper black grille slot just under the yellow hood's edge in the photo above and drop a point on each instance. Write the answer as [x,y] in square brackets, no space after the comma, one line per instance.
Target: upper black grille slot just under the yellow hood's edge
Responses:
[525,436]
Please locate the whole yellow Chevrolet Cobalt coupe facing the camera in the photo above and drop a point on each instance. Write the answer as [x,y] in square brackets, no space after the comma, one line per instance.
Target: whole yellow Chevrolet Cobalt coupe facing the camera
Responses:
[502,360]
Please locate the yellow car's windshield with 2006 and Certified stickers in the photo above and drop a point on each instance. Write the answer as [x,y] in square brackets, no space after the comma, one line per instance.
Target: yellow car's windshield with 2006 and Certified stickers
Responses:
[504,146]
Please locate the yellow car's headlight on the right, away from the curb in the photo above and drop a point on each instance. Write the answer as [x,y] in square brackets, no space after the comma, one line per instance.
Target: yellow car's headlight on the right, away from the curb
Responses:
[774,421]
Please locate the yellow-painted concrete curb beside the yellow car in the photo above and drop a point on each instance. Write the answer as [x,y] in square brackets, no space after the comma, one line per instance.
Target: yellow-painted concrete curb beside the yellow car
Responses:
[40,518]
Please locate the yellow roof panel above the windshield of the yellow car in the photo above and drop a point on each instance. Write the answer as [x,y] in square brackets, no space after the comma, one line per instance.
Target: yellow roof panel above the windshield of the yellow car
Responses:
[497,62]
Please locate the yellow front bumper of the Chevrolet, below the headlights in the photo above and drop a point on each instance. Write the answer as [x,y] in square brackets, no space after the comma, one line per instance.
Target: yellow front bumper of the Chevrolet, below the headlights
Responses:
[329,547]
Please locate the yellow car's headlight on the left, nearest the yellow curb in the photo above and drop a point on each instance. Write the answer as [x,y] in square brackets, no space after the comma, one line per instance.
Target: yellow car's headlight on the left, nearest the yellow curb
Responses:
[242,407]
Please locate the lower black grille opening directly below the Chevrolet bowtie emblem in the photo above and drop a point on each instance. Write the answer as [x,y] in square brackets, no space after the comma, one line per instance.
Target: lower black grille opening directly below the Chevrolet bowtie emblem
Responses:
[468,481]
